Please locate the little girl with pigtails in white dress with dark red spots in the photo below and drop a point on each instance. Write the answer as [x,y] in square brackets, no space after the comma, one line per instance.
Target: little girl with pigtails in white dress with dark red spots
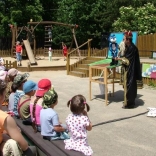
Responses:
[78,123]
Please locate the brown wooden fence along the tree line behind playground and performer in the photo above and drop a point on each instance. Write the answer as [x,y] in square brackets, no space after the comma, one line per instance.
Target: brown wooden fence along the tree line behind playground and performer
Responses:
[145,44]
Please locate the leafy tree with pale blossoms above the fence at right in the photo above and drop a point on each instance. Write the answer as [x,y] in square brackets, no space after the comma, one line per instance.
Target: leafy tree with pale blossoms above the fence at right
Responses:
[141,19]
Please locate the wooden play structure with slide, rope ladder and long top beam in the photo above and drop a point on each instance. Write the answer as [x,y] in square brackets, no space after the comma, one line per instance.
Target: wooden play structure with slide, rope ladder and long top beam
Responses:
[30,40]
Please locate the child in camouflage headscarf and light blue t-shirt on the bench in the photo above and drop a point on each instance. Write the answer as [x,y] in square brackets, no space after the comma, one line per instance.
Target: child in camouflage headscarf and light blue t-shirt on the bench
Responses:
[50,126]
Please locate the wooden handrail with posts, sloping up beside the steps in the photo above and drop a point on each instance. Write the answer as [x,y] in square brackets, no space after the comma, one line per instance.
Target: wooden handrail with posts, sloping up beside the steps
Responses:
[71,52]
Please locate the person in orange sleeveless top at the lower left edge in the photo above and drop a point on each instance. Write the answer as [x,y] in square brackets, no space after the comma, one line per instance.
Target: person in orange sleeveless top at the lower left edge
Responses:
[11,139]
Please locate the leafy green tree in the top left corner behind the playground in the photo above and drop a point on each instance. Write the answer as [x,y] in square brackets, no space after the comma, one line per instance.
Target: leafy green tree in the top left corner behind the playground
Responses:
[18,12]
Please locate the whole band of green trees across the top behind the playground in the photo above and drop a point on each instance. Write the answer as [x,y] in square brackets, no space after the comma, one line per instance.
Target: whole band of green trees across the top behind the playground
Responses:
[92,18]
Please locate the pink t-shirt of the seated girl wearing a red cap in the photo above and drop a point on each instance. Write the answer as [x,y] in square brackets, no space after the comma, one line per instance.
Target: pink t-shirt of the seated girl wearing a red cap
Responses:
[37,110]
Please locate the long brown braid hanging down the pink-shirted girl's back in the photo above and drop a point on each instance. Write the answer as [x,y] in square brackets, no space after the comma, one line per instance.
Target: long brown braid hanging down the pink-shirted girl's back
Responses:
[33,114]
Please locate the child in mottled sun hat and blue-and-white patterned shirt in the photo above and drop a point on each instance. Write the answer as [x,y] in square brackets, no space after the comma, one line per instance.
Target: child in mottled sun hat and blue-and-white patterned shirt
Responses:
[19,80]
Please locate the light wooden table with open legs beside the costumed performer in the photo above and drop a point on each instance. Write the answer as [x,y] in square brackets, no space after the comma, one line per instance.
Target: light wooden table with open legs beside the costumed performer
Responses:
[104,68]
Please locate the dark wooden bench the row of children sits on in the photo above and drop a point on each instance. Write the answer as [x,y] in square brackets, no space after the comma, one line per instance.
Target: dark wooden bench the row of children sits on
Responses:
[45,147]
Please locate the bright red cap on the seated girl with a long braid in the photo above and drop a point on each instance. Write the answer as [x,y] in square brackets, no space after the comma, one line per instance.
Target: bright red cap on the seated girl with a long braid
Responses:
[43,86]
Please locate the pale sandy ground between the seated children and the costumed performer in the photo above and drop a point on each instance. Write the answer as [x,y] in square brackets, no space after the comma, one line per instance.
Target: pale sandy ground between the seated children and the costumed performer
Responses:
[116,131]
